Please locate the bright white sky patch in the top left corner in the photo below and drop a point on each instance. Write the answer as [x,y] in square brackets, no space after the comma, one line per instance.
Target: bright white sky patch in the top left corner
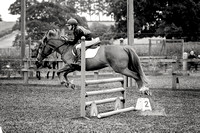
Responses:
[4,6]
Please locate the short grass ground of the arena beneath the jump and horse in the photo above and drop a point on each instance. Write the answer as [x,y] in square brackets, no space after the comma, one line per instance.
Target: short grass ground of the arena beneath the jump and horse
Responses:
[46,106]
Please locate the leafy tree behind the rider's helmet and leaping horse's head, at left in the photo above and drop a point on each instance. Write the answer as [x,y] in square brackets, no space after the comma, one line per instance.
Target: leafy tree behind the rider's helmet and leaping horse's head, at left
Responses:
[42,16]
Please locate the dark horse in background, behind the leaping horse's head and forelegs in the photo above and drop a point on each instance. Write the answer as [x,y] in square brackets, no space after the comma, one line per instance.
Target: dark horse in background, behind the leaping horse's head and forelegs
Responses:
[45,64]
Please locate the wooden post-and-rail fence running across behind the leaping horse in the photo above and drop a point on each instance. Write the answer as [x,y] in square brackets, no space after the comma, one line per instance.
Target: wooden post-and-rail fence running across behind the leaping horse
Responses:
[27,68]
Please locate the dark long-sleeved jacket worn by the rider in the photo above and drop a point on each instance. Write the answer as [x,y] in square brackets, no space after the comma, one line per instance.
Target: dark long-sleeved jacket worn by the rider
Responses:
[80,31]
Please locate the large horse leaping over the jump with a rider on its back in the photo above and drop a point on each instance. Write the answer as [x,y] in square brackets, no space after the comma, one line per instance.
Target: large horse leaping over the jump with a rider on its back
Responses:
[122,59]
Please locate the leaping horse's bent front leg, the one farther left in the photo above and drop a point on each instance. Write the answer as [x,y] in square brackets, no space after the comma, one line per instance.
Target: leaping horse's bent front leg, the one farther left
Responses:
[62,74]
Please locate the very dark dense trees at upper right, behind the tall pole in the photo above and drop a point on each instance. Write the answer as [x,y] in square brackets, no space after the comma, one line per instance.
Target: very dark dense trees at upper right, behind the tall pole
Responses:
[180,18]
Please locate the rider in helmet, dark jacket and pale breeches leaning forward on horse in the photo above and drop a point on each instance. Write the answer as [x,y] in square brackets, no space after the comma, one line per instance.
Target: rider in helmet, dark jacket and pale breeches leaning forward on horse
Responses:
[78,32]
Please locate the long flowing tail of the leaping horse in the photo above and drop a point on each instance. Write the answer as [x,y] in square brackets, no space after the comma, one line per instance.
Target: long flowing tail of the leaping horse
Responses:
[135,65]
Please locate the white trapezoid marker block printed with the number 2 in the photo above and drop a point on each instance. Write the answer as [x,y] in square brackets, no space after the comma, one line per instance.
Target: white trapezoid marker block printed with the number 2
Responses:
[143,104]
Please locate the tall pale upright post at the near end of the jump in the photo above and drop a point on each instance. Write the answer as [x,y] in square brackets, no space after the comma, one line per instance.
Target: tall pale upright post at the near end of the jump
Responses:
[82,100]
